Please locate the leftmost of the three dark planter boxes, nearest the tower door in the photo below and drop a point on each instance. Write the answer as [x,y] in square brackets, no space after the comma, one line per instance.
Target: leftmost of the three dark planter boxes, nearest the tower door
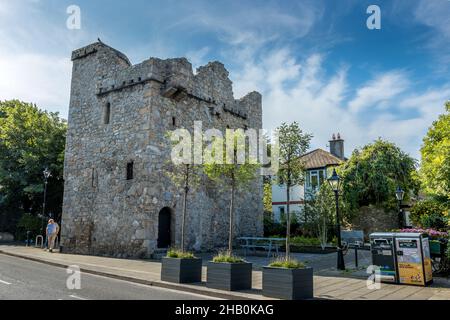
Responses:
[181,270]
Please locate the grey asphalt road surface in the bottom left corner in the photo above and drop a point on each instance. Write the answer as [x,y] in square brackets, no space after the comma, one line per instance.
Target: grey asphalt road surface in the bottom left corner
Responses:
[22,279]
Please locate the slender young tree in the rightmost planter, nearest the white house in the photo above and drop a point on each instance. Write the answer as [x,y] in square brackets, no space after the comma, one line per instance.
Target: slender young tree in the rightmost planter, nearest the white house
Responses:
[293,143]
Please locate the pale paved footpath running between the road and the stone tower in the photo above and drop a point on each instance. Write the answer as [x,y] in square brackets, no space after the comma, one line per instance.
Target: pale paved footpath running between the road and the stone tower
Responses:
[148,272]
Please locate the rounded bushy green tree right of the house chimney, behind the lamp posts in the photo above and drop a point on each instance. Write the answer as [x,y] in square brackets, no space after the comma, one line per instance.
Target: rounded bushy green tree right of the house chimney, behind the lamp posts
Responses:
[373,173]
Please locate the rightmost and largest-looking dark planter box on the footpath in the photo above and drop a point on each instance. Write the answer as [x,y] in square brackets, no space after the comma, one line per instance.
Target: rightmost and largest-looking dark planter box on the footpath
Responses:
[289,284]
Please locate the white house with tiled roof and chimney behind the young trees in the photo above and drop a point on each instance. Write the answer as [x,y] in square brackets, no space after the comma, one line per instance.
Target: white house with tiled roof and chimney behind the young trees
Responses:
[319,165]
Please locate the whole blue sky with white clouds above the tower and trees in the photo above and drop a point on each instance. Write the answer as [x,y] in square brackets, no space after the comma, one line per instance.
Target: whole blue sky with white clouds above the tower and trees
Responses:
[314,61]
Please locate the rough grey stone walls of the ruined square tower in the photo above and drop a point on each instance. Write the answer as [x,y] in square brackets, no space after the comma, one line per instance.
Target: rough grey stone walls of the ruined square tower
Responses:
[118,200]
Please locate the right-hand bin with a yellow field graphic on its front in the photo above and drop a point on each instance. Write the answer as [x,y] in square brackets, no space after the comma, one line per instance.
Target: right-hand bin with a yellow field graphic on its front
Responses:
[413,259]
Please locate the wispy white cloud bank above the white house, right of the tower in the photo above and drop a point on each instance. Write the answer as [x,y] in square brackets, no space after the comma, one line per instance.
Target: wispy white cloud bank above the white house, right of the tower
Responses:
[299,91]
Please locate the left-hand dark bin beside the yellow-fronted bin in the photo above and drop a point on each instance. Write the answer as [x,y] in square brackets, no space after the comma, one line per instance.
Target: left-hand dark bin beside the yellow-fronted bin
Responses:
[382,246]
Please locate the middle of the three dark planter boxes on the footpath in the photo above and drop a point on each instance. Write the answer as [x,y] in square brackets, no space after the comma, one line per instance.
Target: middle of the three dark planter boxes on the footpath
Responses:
[229,276]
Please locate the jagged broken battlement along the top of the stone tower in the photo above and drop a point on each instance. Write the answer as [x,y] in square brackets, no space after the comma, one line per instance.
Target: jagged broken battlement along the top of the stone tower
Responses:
[211,83]
